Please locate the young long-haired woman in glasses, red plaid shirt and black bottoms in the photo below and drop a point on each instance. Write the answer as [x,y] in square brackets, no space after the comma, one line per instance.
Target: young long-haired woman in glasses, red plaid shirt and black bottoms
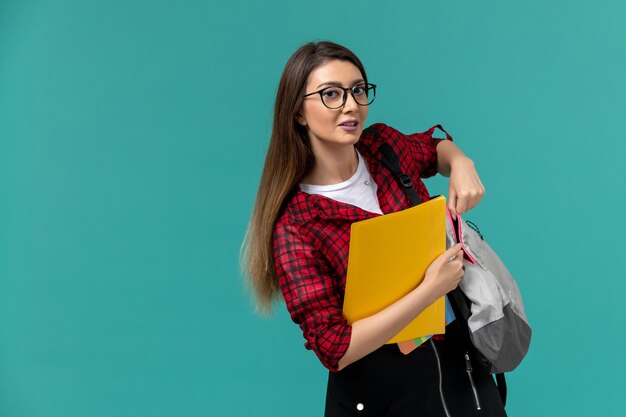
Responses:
[322,173]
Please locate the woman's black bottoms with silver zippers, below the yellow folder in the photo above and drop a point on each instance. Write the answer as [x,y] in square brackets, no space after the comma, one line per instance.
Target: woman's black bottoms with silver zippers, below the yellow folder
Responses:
[387,383]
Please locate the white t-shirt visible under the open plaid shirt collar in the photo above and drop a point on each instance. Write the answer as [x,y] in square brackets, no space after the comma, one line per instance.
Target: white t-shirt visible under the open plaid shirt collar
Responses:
[359,190]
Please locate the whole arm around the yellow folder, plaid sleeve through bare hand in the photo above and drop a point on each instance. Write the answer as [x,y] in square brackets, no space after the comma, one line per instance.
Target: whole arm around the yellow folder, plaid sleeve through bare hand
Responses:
[314,303]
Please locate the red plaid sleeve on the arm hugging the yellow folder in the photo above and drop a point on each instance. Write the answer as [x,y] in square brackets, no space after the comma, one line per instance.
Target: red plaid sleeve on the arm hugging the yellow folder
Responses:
[310,294]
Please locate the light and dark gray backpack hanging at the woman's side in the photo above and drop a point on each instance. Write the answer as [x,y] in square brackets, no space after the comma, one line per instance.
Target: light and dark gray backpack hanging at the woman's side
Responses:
[496,319]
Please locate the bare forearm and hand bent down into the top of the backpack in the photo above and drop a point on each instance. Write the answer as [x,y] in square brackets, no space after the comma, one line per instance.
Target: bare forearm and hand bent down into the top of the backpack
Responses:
[465,190]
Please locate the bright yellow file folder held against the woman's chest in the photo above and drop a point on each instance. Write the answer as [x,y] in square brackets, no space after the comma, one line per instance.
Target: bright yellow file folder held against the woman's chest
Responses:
[388,258]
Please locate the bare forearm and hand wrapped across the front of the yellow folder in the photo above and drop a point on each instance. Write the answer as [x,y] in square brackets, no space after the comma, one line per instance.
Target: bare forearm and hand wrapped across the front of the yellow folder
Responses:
[370,333]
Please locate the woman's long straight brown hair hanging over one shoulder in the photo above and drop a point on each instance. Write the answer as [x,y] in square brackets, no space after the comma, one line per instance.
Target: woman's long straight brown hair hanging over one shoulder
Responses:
[289,158]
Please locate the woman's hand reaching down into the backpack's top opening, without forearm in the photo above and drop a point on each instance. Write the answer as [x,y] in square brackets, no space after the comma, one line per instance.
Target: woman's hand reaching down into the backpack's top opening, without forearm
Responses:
[466,190]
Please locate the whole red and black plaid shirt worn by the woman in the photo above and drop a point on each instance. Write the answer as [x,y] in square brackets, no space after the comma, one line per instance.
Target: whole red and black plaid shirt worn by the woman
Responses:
[312,238]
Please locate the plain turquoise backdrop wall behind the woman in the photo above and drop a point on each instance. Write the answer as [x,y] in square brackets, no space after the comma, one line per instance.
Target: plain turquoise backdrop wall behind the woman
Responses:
[132,137]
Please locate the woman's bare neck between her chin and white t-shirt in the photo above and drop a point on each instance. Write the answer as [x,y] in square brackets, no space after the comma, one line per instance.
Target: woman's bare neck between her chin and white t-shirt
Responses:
[333,167]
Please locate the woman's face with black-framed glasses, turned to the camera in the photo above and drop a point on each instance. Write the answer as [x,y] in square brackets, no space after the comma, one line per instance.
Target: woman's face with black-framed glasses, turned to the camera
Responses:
[331,127]
